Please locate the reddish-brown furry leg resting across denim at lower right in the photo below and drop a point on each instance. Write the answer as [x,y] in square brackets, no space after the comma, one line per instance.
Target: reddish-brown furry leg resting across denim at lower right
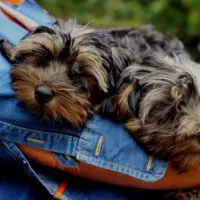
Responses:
[178,152]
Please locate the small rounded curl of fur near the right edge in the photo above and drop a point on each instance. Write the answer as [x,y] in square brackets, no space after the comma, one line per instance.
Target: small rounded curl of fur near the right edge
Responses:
[183,87]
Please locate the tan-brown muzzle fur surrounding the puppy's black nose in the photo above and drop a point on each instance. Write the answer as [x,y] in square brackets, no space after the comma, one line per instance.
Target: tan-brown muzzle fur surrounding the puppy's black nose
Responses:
[28,80]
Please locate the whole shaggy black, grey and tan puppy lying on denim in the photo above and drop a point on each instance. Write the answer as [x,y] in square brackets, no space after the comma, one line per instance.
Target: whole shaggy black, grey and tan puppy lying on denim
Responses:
[145,79]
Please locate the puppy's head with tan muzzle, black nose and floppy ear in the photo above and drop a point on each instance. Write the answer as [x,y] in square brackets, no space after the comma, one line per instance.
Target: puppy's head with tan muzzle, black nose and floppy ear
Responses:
[57,69]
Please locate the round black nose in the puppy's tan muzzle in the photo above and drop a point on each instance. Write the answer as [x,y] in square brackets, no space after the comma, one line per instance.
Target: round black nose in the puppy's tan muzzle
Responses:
[43,94]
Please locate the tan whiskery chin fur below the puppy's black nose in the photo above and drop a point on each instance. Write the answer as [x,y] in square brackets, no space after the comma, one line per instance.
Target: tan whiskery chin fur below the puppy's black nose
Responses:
[66,105]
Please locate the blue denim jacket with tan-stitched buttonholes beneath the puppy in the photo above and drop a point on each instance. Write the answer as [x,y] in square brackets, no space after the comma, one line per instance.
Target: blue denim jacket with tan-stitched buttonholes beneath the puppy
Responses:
[101,142]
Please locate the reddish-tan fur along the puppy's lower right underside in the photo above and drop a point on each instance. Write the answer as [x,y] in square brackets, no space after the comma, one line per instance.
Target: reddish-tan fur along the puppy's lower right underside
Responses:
[177,145]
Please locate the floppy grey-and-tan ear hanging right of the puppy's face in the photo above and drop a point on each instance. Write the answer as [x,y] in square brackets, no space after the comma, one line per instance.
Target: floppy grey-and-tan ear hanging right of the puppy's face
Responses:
[94,59]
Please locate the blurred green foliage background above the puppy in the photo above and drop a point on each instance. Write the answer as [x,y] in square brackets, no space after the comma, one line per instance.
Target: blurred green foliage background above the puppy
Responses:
[180,18]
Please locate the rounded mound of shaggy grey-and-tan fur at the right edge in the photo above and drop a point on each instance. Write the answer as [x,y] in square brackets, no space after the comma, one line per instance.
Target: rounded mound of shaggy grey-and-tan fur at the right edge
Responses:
[166,99]
